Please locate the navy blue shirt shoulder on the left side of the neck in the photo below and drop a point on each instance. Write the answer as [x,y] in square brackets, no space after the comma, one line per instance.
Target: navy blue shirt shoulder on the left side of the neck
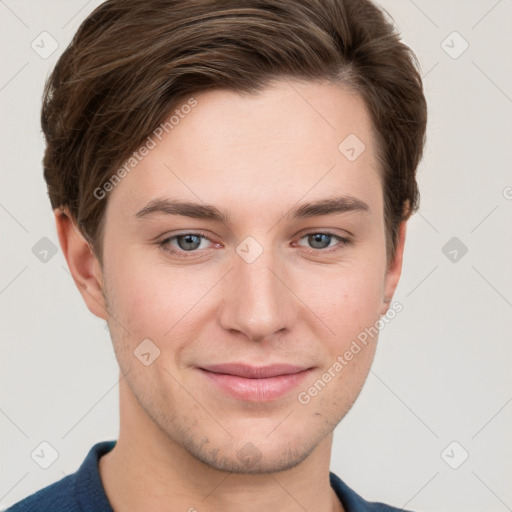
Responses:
[79,492]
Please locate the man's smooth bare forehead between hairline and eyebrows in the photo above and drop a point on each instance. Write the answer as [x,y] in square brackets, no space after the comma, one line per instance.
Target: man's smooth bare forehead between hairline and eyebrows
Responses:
[292,139]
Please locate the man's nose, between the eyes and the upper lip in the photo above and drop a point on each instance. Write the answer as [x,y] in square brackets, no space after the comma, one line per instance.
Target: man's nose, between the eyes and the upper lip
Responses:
[257,299]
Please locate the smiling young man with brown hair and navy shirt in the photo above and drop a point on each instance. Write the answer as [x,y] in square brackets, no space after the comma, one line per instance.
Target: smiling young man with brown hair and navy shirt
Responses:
[231,183]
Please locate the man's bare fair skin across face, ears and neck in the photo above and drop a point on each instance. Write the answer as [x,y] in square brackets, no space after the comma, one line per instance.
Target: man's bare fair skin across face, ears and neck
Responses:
[255,156]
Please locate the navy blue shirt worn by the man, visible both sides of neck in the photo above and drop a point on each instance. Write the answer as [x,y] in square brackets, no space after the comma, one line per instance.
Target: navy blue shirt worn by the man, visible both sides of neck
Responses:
[83,491]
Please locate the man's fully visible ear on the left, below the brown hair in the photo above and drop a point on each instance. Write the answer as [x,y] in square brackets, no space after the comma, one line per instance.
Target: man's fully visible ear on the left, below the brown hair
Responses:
[82,262]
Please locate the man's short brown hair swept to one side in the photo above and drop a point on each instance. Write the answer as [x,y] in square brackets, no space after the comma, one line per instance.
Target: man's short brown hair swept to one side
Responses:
[131,62]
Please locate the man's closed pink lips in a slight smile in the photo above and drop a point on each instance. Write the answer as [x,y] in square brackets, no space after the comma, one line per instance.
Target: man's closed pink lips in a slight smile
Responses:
[256,383]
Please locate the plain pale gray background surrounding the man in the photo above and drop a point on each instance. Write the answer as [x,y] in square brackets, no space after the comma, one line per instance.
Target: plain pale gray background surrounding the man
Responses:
[442,370]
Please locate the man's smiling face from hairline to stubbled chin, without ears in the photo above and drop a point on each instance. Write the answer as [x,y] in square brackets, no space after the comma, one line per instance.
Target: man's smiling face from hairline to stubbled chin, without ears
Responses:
[255,289]
